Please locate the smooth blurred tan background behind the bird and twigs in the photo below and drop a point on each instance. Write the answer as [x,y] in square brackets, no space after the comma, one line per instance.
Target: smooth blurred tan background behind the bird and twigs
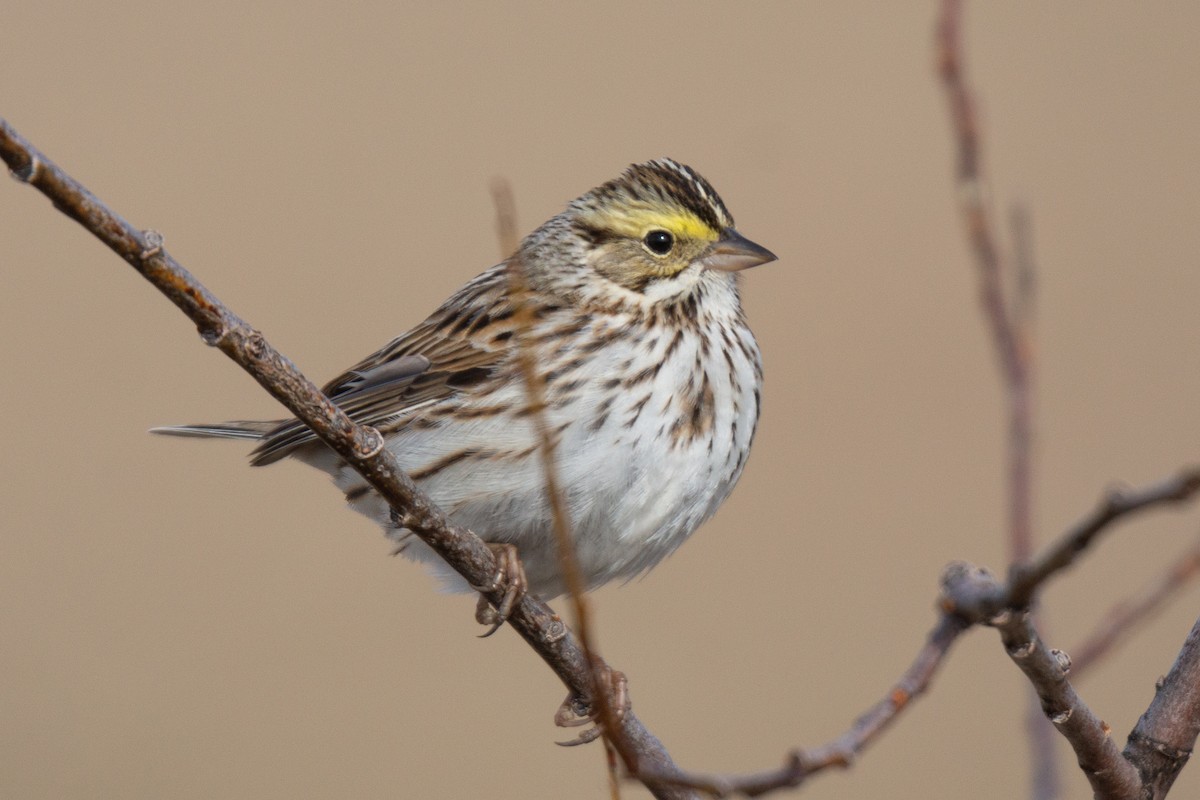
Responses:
[178,625]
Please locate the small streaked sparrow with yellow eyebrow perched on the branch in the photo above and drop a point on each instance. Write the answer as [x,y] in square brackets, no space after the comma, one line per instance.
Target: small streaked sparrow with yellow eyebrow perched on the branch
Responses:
[652,387]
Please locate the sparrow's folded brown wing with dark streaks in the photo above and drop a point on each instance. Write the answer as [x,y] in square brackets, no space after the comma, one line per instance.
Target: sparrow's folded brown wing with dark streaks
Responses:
[460,345]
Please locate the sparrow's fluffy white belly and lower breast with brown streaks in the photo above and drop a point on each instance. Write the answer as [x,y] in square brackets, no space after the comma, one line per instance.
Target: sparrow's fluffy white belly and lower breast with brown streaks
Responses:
[643,465]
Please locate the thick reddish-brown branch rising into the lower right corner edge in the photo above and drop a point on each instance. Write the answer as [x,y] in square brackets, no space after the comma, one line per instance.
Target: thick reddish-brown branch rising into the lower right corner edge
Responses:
[1163,739]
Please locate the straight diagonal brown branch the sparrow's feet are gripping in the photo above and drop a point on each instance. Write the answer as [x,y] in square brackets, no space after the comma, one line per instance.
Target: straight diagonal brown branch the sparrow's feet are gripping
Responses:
[362,447]
